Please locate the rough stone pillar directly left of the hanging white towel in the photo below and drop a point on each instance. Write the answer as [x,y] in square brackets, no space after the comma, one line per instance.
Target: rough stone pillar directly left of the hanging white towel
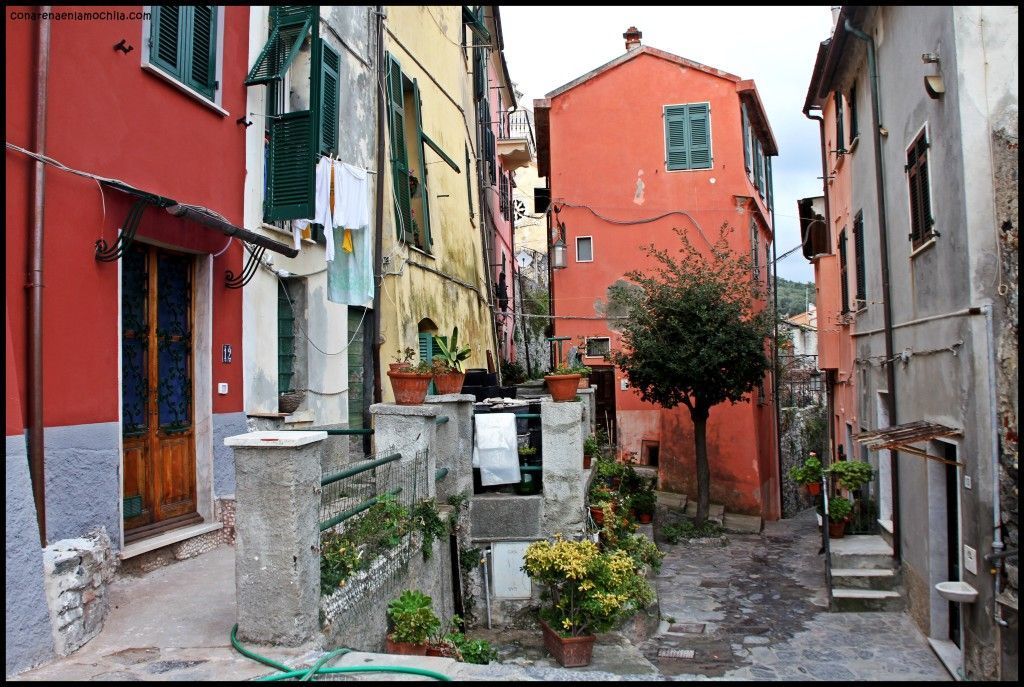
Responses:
[454,444]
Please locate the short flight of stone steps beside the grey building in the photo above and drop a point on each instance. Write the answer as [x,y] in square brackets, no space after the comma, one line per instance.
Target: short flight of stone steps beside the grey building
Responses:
[865,575]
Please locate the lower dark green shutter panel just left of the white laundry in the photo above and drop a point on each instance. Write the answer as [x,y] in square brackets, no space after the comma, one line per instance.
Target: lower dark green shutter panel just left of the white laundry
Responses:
[292,171]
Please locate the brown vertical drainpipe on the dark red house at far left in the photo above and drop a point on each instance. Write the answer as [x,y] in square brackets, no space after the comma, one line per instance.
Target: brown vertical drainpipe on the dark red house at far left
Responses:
[35,285]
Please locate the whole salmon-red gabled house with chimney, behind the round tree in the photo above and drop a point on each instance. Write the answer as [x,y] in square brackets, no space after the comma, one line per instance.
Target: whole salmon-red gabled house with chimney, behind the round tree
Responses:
[646,144]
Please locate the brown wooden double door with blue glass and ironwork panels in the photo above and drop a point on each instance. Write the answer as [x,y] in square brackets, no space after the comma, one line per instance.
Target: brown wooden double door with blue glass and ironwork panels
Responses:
[157,392]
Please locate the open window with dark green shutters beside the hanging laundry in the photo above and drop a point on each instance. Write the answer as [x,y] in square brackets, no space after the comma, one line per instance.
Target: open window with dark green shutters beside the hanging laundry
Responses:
[303,108]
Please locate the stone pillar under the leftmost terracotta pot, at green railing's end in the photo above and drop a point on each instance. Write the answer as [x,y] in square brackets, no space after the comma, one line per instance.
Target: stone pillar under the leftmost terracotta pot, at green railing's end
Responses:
[407,431]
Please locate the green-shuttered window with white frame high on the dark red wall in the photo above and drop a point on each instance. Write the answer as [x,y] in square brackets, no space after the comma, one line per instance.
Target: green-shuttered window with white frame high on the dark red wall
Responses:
[183,46]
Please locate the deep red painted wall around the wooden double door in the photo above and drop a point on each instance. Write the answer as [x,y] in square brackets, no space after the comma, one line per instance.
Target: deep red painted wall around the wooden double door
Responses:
[108,116]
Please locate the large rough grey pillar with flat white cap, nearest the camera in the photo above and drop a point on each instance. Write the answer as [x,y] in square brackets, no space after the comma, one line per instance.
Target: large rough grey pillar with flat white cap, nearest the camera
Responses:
[277,547]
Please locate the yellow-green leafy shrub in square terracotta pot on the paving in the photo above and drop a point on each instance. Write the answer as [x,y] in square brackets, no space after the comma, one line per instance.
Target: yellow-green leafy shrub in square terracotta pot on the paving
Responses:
[586,592]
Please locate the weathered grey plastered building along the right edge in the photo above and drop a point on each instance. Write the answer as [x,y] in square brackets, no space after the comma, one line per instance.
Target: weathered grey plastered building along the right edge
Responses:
[925,104]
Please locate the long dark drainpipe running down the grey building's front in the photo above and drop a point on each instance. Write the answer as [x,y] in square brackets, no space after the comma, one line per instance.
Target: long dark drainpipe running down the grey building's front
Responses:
[886,295]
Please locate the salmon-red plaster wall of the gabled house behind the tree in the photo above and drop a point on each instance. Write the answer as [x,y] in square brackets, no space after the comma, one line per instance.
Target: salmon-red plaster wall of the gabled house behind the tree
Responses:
[606,136]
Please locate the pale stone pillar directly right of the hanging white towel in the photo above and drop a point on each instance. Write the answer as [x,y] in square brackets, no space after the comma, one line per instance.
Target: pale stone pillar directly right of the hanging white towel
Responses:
[562,431]
